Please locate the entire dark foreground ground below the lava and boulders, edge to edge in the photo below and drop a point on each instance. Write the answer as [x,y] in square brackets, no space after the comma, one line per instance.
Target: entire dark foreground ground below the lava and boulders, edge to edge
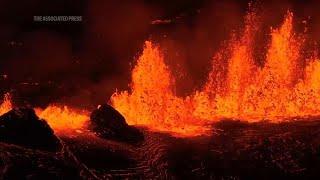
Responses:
[235,150]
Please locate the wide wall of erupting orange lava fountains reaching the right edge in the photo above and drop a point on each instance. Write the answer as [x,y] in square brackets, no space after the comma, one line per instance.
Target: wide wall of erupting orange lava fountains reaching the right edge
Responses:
[282,88]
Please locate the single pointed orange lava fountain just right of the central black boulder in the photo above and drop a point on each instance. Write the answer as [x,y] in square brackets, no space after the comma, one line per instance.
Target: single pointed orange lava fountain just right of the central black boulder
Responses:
[152,101]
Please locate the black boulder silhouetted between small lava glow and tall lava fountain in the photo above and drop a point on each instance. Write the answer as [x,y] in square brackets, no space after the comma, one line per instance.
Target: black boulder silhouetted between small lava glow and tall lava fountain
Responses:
[110,124]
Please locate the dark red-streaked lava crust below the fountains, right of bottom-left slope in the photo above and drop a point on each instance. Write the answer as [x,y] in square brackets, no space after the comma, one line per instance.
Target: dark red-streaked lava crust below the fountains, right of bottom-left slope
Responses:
[236,150]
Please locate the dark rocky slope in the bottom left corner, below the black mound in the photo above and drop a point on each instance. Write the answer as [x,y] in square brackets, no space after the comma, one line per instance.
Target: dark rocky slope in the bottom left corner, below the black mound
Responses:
[17,162]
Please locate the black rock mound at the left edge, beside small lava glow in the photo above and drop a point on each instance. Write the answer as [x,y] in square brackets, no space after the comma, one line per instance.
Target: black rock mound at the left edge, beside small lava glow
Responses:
[21,126]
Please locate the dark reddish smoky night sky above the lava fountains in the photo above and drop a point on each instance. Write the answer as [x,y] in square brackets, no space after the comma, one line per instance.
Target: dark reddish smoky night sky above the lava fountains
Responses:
[89,59]
